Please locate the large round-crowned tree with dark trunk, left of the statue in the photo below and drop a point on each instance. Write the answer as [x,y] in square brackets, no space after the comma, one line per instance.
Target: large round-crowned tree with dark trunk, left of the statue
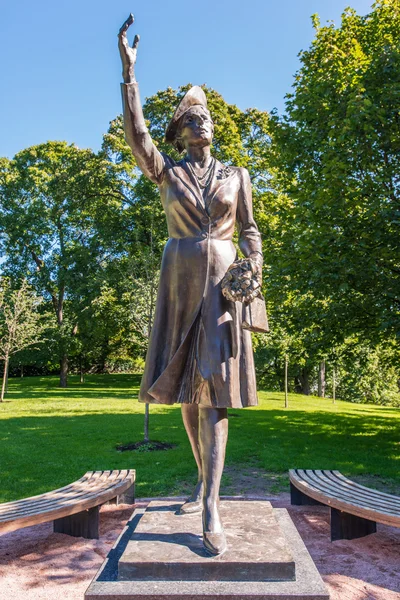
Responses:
[54,201]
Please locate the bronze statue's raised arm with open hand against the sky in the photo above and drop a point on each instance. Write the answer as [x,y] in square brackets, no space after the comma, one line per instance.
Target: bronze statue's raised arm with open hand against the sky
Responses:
[148,158]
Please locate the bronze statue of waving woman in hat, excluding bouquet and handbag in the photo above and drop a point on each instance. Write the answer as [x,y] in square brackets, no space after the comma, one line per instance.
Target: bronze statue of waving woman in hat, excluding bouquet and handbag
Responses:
[199,355]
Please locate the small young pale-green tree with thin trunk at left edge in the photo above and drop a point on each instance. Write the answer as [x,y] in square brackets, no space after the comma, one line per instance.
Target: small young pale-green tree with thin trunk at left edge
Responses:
[21,324]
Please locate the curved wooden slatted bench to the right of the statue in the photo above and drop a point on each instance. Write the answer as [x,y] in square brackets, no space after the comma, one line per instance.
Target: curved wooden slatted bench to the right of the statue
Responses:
[355,509]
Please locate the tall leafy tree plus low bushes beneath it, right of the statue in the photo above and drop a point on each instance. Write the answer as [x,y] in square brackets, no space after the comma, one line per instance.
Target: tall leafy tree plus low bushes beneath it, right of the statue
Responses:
[333,261]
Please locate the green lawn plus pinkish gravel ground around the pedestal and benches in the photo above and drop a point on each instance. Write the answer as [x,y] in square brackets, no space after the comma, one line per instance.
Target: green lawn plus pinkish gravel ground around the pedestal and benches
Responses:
[51,436]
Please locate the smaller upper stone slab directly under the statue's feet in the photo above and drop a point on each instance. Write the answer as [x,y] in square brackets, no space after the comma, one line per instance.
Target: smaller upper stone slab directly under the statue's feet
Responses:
[169,546]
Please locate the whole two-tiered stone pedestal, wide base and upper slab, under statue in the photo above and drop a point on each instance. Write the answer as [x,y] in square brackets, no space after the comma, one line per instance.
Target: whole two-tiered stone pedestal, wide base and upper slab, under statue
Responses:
[160,556]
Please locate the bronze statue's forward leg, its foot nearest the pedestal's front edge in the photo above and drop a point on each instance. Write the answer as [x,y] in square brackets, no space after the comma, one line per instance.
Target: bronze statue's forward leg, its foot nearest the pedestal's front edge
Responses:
[213,435]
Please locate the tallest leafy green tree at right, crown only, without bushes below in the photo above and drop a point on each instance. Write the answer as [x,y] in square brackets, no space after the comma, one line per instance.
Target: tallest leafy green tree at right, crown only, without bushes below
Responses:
[337,161]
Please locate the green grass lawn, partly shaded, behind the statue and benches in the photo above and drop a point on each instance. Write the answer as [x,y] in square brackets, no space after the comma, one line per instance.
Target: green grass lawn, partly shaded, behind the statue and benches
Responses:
[50,437]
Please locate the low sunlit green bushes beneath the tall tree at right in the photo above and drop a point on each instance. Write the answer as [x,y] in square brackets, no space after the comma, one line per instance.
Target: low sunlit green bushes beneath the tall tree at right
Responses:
[363,373]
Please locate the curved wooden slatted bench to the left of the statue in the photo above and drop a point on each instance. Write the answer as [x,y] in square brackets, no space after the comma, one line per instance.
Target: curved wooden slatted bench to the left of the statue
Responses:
[73,508]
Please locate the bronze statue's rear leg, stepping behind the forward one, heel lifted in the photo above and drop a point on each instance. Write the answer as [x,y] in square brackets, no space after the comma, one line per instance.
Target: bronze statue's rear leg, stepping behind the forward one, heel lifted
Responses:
[190,416]
